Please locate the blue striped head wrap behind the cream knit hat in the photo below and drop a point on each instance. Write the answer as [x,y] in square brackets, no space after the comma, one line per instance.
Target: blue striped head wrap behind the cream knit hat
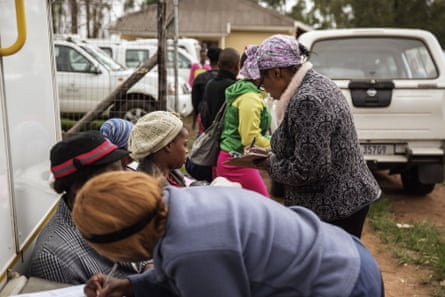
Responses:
[117,131]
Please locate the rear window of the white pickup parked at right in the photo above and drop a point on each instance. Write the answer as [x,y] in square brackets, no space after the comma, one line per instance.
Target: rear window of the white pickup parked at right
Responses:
[373,58]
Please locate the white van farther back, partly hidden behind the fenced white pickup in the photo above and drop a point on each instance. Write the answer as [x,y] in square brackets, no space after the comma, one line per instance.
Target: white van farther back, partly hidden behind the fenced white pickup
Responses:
[134,53]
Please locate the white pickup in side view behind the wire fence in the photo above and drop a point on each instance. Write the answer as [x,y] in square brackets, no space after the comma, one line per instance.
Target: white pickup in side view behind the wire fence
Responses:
[86,75]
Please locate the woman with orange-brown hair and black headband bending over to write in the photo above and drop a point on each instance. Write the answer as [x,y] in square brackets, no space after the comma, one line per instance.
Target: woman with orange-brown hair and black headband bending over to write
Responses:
[219,247]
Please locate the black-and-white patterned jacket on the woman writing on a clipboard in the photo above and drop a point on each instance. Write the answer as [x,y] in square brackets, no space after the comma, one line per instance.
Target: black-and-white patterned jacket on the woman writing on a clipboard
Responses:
[316,153]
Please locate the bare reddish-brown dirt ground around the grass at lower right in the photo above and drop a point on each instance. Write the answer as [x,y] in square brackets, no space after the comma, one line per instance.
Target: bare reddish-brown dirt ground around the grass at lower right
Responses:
[405,280]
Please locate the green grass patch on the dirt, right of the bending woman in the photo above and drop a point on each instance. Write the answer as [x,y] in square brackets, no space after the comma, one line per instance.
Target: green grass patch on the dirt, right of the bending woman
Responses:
[419,243]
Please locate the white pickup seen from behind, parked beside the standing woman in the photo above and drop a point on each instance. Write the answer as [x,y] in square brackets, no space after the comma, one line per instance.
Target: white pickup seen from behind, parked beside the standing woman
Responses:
[394,80]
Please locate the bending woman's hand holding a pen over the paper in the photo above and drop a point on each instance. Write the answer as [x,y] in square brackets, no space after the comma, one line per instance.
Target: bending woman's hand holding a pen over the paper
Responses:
[96,287]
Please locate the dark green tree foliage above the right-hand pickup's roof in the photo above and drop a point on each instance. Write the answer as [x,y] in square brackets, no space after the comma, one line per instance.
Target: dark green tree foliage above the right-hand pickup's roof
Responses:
[422,14]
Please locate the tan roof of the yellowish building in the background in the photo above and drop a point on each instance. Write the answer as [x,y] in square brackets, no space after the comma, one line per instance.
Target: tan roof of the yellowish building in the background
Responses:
[205,18]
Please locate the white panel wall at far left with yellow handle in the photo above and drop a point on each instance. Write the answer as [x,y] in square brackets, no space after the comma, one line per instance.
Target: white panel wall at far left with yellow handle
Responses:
[30,125]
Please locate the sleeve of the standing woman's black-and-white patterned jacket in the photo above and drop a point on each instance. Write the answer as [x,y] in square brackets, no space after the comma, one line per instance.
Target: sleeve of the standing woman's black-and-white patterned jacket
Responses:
[301,144]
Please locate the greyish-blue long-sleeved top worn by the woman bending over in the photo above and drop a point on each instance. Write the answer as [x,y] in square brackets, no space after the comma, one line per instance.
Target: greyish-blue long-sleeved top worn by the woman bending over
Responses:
[227,242]
